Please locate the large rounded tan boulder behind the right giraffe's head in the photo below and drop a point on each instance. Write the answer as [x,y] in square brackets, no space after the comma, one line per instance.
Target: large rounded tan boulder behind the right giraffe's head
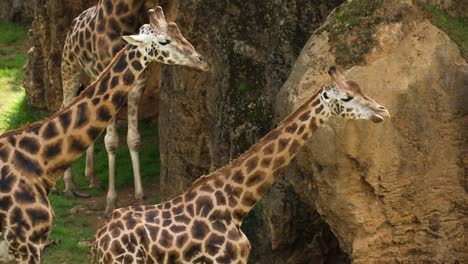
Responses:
[395,192]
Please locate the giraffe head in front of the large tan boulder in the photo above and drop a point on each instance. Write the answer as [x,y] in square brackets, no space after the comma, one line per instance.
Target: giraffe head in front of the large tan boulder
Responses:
[345,98]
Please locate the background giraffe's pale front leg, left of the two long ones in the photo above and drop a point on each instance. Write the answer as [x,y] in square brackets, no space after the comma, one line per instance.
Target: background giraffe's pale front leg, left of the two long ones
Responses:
[111,141]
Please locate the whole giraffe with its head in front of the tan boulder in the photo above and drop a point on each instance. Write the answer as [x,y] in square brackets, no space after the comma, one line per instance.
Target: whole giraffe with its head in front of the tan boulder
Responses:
[203,224]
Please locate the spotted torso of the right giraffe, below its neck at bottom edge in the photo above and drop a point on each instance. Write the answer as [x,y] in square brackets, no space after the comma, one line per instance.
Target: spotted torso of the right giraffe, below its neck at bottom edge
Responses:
[188,229]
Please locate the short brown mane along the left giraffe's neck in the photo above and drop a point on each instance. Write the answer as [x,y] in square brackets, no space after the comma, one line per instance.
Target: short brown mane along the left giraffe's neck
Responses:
[77,98]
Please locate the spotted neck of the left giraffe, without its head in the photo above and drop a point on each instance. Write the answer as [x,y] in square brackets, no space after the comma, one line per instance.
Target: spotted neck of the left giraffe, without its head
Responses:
[43,150]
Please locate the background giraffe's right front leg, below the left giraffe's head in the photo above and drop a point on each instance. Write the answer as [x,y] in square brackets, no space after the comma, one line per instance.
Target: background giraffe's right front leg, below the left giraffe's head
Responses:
[133,135]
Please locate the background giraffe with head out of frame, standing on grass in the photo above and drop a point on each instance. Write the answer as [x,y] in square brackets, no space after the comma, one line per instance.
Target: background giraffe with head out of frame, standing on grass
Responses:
[91,43]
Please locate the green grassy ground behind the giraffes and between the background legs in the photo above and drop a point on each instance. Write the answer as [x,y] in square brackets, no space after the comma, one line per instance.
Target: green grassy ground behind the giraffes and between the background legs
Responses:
[75,220]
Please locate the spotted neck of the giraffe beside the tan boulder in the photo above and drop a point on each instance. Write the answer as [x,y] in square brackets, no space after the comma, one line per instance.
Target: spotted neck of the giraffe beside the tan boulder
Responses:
[245,180]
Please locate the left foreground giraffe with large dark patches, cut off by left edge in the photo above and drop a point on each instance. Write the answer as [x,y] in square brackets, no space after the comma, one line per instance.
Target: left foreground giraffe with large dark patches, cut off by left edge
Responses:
[32,158]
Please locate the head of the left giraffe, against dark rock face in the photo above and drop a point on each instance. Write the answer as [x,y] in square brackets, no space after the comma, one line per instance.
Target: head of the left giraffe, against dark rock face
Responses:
[161,41]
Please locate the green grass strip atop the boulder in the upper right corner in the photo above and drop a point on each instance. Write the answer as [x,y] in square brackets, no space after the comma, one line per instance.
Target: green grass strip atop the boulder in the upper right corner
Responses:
[455,27]
